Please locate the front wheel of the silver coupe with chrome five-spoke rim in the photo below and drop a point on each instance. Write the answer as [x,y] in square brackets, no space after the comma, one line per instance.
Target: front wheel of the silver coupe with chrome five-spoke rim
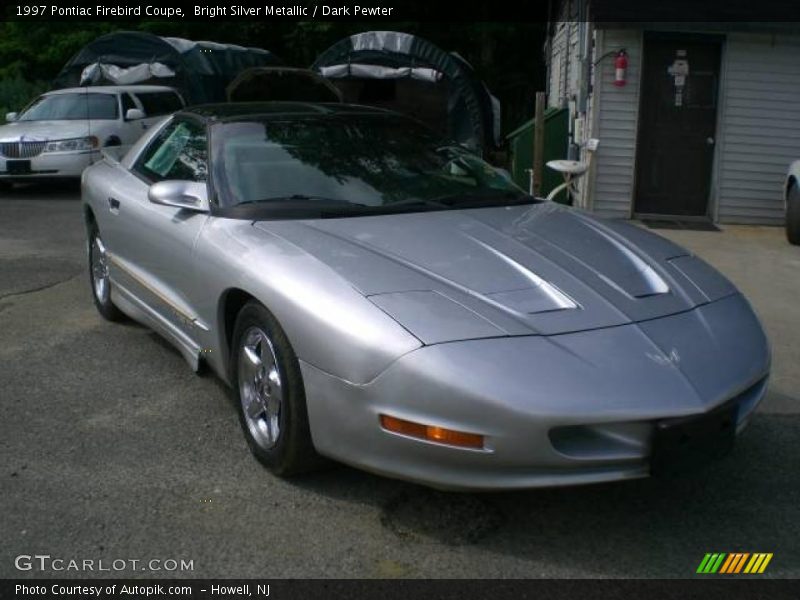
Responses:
[269,393]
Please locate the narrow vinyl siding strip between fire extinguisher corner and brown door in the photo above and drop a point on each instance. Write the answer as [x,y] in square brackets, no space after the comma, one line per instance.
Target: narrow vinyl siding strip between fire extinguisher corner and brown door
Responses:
[617,114]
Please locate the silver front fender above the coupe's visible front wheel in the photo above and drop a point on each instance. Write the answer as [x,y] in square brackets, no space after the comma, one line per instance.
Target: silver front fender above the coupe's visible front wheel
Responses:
[329,324]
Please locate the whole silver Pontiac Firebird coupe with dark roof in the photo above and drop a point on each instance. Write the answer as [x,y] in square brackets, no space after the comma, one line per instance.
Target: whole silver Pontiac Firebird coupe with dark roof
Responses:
[379,296]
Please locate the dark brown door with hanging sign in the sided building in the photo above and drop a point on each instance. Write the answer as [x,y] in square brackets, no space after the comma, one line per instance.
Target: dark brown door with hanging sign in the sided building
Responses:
[677,124]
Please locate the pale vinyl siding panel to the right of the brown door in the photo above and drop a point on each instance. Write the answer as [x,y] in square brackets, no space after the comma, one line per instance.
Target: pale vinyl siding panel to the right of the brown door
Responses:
[759,126]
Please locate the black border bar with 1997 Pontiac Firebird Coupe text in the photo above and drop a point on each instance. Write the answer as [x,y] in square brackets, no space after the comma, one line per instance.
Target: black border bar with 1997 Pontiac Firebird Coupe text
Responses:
[786,12]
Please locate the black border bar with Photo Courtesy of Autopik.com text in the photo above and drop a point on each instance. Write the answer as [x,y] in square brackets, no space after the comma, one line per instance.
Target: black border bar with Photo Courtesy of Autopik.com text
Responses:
[708,587]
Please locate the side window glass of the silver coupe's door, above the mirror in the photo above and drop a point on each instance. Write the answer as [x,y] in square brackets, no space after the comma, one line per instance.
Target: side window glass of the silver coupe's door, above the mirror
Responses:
[179,151]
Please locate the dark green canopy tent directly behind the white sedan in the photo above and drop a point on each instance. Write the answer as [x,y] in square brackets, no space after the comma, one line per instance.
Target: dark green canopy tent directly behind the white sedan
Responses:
[200,70]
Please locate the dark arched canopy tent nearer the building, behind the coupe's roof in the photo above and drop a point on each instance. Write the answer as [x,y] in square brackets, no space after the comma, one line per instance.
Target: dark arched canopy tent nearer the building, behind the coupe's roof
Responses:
[411,75]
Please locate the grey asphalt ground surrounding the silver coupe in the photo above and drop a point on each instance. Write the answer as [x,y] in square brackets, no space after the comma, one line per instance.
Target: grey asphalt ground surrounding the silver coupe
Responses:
[111,448]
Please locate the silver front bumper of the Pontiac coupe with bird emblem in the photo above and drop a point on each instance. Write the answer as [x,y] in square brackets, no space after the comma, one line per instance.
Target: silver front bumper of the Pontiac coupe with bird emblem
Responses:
[561,410]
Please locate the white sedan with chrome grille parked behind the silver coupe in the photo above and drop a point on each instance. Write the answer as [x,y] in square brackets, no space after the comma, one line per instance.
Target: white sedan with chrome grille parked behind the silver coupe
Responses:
[61,132]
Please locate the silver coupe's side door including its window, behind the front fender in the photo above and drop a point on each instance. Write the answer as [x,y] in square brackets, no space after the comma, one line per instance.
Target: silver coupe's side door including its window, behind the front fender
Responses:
[154,244]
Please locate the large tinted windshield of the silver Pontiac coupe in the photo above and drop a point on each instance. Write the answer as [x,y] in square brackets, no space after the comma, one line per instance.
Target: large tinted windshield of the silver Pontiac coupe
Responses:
[353,164]
